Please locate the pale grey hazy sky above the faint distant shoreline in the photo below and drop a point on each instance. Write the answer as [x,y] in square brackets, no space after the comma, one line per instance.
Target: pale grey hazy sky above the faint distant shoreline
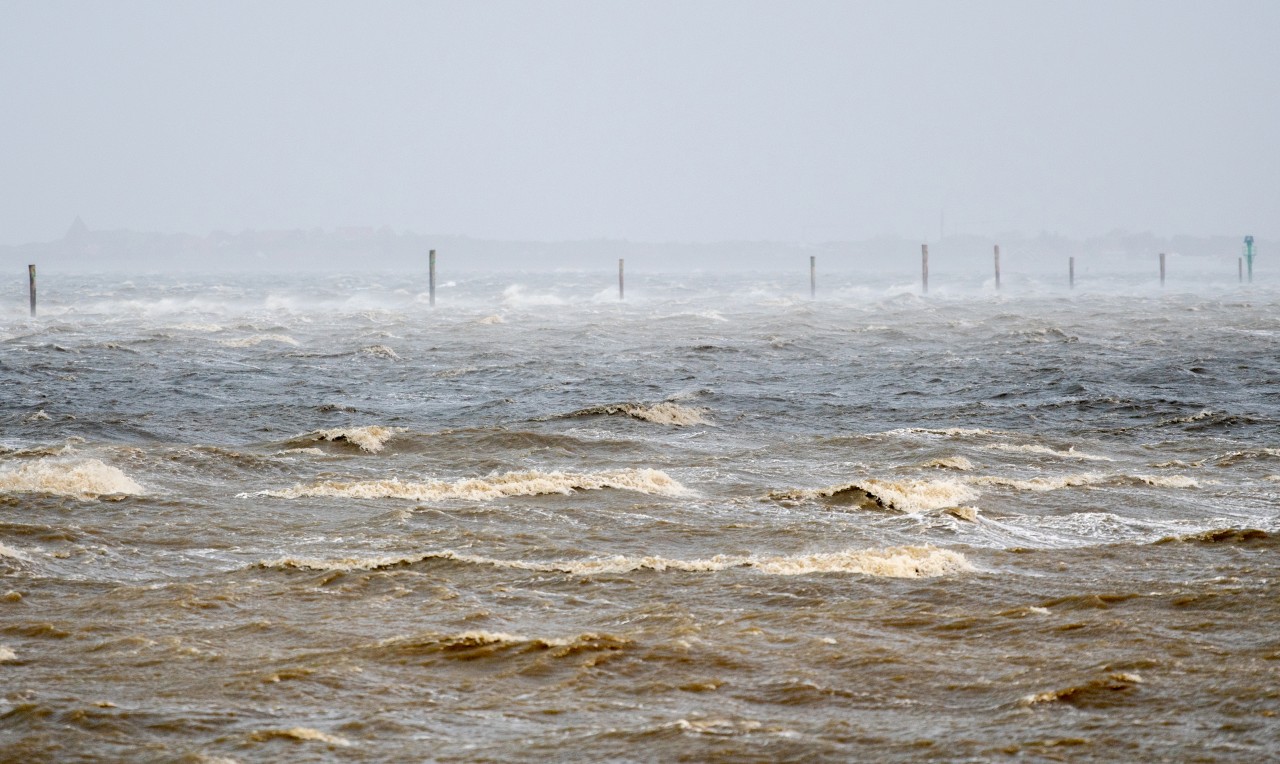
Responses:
[652,121]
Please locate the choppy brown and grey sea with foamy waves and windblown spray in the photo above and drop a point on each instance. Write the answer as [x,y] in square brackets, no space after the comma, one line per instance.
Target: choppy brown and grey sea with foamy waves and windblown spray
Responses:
[316,520]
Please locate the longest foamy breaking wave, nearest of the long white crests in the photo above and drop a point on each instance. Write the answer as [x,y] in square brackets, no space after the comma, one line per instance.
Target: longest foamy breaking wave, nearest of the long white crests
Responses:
[898,562]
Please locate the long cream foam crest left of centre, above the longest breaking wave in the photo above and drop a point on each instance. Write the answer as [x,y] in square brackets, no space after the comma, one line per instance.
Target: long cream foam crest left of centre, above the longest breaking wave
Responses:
[493,487]
